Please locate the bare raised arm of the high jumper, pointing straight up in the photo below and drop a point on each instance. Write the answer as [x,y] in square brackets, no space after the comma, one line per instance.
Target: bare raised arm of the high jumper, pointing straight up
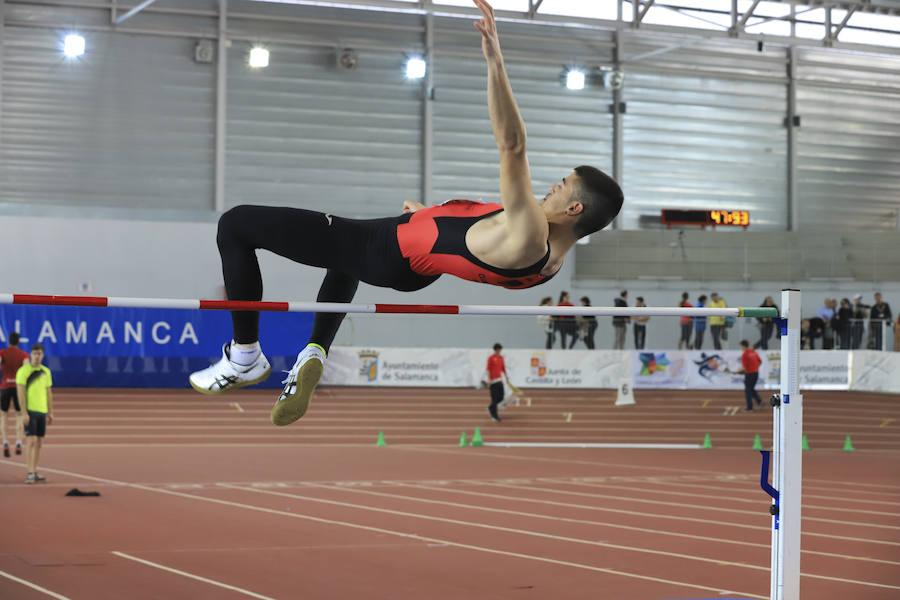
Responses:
[523,212]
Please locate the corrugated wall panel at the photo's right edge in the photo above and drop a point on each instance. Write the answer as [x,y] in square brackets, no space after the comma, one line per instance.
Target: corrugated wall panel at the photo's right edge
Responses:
[849,141]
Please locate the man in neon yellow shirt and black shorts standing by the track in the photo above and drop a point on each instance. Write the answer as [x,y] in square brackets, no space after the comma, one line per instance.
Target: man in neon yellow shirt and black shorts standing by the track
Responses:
[33,383]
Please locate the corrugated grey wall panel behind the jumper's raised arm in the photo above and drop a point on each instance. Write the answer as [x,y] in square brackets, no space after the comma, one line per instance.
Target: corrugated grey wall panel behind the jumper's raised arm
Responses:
[565,128]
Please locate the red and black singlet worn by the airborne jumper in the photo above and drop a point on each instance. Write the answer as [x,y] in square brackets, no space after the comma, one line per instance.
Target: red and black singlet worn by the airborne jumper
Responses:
[434,242]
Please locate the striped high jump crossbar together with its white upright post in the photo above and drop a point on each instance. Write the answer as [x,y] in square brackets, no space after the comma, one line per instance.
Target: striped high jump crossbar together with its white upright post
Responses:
[787,418]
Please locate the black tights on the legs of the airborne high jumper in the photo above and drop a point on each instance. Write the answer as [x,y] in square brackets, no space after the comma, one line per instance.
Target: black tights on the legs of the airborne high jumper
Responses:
[351,250]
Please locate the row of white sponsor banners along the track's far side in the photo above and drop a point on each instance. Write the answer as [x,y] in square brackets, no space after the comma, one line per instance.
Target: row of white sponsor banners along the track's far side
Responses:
[662,369]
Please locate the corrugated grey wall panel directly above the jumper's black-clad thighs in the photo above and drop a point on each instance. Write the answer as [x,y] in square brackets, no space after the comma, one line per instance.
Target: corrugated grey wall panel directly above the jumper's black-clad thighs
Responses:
[305,133]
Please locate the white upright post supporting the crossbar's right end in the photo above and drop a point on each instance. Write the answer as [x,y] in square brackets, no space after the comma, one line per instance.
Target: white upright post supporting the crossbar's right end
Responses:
[787,429]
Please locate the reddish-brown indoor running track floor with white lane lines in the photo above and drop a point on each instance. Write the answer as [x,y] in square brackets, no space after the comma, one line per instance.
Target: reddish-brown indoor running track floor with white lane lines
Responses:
[203,498]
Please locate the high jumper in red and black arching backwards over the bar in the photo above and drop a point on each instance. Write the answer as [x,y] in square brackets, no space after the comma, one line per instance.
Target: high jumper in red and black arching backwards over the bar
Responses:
[517,244]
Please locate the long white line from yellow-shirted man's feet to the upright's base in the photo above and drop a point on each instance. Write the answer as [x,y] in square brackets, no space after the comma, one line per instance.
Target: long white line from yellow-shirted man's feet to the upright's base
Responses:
[405,535]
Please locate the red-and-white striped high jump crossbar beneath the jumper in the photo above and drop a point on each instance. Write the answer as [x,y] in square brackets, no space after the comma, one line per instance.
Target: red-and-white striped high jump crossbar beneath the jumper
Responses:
[336,307]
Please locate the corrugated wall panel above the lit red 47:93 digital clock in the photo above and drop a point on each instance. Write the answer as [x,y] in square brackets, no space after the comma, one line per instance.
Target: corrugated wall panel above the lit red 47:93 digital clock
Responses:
[704,129]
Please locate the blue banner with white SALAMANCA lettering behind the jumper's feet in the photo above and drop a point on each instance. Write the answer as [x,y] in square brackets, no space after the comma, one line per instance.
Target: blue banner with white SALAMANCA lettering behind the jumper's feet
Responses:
[136,347]
